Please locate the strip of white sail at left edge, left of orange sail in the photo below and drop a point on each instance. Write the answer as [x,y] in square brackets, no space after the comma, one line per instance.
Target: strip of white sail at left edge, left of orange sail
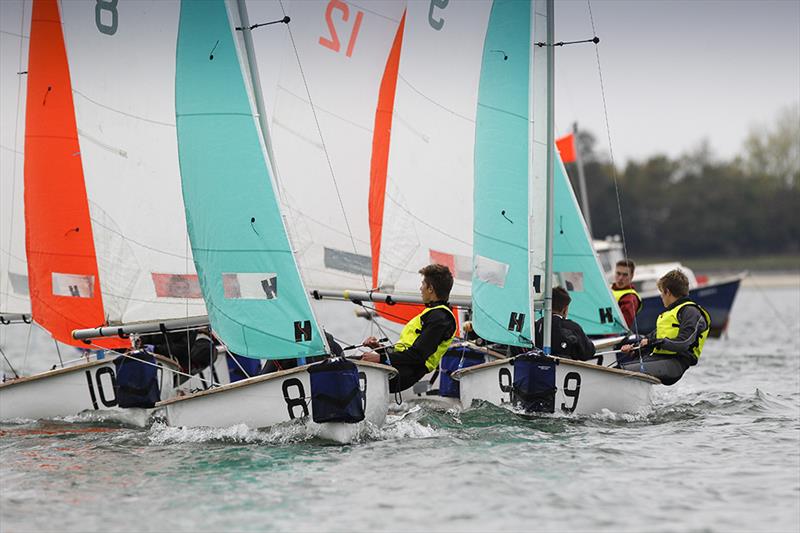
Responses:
[15,20]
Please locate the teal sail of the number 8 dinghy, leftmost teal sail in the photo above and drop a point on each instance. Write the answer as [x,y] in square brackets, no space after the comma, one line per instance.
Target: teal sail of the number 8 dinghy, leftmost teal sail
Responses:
[250,281]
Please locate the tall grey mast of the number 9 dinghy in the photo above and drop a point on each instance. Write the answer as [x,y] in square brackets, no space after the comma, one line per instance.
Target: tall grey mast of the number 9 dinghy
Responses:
[548,267]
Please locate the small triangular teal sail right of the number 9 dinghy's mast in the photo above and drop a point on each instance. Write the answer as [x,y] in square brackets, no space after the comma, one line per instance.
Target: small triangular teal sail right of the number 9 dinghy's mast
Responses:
[575,265]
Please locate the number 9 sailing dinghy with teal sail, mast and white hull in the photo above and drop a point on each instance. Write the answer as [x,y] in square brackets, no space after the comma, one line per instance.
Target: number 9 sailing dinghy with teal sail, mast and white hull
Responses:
[514,227]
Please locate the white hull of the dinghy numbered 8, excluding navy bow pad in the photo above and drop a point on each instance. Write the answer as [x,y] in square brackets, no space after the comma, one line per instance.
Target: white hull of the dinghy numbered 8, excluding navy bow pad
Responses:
[267,400]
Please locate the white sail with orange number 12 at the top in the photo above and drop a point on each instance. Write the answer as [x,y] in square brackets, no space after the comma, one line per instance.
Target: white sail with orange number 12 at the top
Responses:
[322,153]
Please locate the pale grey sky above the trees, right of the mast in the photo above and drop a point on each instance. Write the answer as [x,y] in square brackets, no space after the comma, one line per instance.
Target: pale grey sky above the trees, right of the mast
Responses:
[676,72]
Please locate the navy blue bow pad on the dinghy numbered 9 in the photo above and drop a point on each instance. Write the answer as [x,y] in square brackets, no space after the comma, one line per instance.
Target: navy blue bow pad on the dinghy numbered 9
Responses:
[535,382]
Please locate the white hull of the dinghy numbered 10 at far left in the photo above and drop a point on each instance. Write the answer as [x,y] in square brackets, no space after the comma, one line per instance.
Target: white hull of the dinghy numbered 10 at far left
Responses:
[69,391]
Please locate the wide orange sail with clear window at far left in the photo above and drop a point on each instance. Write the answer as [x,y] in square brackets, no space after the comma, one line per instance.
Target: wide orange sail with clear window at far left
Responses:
[62,267]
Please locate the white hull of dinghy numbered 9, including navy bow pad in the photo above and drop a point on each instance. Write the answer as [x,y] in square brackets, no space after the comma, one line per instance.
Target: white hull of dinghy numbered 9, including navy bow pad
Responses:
[548,384]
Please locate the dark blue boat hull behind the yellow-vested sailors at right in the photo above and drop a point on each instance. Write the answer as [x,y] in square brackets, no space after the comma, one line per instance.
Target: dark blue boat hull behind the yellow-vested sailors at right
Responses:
[716,298]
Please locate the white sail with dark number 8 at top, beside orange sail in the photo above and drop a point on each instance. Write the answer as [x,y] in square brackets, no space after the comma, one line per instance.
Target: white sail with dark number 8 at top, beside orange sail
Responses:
[122,66]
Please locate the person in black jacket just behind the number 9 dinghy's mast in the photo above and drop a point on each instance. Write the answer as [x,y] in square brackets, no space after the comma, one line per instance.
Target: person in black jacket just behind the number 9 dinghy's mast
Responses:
[568,338]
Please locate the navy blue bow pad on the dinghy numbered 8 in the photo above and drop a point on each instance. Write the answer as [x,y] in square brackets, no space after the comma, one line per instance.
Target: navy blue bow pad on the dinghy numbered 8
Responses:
[335,392]
